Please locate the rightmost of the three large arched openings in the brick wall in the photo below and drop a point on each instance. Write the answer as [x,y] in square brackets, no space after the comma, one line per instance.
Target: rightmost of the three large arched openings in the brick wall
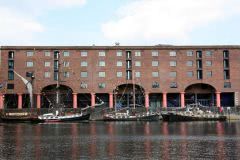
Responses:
[200,93]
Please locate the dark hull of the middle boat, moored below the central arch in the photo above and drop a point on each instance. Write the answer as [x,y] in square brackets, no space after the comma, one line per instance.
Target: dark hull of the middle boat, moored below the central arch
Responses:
[153,117]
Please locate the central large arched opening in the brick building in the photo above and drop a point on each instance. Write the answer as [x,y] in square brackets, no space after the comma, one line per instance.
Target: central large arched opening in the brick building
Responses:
[125,94]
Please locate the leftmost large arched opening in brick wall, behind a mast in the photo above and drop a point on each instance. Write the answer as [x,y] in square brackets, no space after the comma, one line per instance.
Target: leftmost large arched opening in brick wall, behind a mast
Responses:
[50,98]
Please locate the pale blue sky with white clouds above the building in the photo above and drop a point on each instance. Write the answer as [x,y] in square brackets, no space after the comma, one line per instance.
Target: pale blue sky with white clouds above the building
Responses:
[129,22]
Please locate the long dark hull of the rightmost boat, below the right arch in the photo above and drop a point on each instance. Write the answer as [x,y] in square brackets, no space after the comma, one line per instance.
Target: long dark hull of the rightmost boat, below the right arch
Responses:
[172,117]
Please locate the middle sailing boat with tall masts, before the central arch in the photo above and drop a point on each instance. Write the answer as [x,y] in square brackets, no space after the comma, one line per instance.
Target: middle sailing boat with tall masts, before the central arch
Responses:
[127,116]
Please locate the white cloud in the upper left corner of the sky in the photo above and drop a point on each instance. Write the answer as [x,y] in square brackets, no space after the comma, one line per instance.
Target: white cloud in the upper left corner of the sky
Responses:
[19,21]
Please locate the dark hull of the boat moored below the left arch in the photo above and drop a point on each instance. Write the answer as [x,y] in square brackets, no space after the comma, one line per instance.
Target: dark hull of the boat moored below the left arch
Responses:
[73,119]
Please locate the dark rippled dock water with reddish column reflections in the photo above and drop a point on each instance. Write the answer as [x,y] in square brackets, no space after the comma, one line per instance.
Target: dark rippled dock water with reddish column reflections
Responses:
[121,140]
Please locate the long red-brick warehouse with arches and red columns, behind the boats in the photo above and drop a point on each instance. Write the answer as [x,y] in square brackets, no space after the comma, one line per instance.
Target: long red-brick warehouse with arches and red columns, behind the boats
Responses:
[163,75]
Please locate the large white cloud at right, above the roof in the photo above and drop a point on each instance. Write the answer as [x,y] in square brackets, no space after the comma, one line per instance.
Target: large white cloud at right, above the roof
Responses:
[164,20]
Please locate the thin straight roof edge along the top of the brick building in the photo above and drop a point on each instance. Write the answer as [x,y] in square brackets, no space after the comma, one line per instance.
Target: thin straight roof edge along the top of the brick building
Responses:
[119,47]
